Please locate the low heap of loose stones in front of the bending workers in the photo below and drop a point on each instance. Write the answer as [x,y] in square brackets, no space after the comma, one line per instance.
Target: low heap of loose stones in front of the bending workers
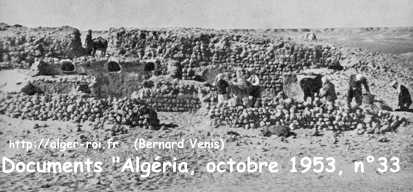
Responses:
[310,114]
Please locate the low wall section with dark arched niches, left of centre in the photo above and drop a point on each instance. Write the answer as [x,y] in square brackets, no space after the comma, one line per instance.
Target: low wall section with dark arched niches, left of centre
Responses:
[106,77]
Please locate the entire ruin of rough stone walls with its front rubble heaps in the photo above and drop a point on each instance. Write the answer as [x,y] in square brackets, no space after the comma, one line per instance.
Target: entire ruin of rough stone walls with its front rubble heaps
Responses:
[173,71]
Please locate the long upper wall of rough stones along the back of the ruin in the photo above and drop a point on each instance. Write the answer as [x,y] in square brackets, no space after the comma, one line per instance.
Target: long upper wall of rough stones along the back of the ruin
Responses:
[193,50]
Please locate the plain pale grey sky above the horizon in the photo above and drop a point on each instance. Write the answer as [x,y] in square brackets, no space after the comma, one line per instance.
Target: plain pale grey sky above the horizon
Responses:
[102,14]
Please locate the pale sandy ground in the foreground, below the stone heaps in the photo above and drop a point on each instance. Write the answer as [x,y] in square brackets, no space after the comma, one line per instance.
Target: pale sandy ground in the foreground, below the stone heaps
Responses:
[347,148]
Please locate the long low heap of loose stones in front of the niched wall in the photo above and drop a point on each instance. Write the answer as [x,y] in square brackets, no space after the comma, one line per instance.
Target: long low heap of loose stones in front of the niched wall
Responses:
[79,108]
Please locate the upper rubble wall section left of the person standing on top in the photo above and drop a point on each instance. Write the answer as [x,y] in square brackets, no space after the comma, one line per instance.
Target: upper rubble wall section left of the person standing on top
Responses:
[20,46]
